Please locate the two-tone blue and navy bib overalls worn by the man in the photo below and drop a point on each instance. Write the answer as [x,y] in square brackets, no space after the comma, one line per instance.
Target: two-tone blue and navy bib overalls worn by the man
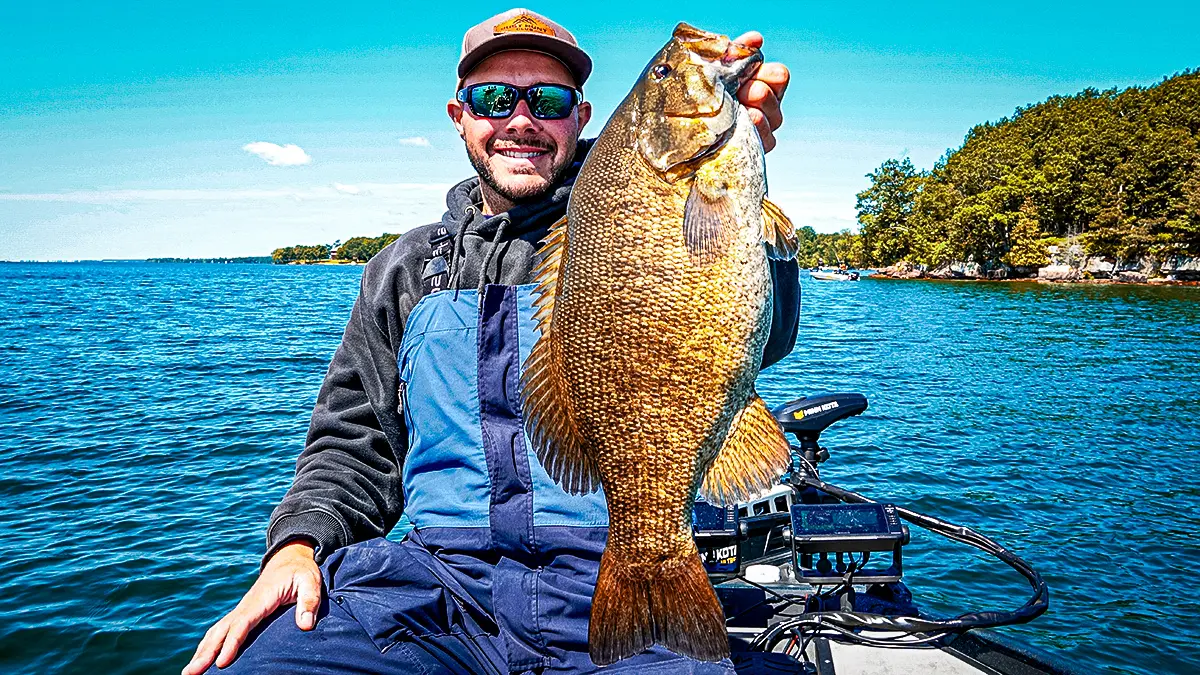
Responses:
[499,572]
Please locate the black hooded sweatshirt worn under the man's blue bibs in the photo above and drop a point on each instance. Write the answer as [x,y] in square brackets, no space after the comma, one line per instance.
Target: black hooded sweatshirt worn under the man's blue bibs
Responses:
[347,485]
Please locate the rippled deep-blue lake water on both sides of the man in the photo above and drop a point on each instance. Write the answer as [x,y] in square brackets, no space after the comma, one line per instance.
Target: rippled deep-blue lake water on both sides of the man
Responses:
[151,416]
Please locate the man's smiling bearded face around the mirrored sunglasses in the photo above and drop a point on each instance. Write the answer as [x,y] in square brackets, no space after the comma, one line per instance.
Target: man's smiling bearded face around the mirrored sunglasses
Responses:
[520,158]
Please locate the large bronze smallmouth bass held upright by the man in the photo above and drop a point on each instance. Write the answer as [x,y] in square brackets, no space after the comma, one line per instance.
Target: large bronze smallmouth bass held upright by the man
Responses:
[655,303]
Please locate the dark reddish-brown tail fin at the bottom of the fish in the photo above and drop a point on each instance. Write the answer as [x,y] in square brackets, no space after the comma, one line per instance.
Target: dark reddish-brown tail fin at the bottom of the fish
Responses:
[674,606]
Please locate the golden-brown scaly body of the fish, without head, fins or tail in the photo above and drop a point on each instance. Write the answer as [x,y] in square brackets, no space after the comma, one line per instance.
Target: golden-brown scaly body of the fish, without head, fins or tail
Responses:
[661,353]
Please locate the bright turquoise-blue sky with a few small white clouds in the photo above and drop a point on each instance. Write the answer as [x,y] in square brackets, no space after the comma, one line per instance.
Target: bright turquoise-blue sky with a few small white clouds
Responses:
[148,129]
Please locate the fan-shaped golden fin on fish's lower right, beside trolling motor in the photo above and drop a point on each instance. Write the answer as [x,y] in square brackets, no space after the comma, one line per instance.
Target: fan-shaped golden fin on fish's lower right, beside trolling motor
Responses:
[755,455]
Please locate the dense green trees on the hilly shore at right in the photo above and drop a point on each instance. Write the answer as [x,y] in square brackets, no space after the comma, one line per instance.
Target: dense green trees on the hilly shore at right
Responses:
[1114,172]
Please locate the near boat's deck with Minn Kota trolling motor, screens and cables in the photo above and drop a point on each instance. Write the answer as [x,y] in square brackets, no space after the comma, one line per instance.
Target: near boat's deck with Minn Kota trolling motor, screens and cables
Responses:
[800,575]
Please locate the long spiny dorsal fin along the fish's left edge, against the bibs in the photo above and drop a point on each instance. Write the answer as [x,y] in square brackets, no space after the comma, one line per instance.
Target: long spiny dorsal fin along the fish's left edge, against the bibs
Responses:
[547,399]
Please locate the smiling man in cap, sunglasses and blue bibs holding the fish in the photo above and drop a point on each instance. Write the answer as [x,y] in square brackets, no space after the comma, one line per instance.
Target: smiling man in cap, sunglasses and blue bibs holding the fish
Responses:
[417,415]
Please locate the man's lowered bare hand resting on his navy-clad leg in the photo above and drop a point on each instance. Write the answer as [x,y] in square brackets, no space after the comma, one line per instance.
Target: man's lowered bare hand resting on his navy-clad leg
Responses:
[291,576]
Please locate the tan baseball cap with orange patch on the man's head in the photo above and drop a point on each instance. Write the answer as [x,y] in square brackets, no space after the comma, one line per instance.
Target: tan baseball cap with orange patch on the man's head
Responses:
[523,29]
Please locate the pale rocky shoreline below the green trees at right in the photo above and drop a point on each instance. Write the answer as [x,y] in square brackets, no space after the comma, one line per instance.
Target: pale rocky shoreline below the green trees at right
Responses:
[1180,272]
